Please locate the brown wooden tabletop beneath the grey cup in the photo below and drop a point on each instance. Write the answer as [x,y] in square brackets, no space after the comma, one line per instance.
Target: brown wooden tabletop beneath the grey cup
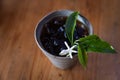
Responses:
[20,57]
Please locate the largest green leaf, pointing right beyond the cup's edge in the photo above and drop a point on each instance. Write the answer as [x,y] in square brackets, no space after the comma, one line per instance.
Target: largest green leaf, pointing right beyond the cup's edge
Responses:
[93,43]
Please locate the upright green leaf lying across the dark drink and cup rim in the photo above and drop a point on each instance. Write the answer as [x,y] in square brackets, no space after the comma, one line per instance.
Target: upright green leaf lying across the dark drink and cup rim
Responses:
[70,26]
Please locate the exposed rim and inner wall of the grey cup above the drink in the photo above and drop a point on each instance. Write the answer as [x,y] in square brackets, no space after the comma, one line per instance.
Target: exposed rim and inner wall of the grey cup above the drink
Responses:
[51,15]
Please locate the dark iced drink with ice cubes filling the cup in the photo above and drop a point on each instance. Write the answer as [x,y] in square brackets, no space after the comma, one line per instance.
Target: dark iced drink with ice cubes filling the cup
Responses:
[53,34]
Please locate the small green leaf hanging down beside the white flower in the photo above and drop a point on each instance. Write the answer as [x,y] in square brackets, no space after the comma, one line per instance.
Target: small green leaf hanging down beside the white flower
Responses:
[82,56]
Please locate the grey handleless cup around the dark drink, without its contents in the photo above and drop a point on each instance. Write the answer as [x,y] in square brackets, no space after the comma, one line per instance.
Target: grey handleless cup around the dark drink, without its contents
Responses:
[59,62]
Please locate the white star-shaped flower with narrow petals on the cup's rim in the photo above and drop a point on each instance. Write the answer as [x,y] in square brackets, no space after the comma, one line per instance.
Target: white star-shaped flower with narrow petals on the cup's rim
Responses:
[68,52]
